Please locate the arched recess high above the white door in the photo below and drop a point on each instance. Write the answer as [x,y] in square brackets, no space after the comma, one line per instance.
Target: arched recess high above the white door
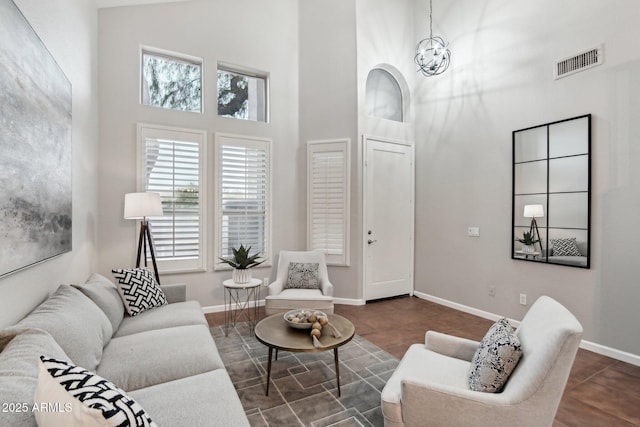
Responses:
[384,96]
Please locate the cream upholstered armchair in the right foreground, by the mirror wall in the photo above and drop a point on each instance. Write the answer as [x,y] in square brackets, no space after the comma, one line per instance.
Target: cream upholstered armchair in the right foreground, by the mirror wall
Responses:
[430,385]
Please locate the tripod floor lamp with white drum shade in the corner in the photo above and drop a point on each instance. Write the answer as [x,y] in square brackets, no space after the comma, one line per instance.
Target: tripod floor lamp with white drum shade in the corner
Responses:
[142,206]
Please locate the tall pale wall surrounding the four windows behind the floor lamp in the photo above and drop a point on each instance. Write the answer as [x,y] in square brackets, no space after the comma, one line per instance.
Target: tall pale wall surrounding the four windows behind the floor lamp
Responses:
[250,33]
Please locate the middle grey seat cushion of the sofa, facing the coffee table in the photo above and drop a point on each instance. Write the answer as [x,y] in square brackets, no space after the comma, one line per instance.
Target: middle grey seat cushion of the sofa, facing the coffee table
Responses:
[166,355]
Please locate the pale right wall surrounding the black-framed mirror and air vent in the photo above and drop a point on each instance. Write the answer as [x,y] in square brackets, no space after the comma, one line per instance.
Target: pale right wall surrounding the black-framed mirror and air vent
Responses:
[500,80]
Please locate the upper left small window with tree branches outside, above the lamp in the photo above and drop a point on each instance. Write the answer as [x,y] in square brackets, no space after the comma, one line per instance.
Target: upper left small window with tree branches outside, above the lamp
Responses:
[171,80]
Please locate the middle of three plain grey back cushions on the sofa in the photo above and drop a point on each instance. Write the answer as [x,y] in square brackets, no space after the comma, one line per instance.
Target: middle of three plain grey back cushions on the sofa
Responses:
[75,323]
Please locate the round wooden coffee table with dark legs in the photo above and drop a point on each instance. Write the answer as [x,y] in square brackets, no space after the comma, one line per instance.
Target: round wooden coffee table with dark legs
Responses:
[273,332]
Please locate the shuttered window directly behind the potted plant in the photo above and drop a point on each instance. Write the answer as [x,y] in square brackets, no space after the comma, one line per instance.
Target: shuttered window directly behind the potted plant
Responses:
[243,193]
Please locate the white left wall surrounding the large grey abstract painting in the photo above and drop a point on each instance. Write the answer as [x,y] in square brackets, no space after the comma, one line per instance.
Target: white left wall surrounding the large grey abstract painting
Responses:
[68,29]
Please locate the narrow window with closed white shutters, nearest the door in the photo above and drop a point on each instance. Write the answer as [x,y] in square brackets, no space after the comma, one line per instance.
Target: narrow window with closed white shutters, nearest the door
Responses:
[328,182]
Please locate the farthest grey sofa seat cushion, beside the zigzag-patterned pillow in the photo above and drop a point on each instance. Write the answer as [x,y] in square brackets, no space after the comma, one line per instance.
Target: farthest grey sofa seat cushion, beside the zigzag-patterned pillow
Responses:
[167,316]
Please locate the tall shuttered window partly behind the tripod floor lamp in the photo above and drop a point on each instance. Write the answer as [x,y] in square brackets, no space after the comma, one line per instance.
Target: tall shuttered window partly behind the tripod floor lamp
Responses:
[172,163]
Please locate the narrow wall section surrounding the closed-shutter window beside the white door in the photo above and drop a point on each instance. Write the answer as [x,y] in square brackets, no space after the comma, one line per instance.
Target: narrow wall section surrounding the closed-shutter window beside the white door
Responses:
[328,106]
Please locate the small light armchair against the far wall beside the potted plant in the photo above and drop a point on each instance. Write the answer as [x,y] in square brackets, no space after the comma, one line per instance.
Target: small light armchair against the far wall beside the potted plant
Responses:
[282,298]
